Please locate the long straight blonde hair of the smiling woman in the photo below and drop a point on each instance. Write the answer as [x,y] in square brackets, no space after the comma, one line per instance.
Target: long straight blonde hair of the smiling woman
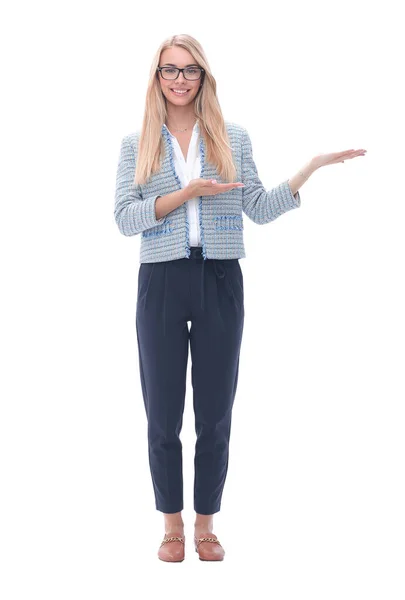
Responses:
[207,109]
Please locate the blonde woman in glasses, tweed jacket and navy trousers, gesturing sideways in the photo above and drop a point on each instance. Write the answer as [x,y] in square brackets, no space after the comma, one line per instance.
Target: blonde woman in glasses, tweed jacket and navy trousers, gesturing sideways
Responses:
[182,183]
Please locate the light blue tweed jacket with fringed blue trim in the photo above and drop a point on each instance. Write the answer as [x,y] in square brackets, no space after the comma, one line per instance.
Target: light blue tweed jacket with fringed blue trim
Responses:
[220,216]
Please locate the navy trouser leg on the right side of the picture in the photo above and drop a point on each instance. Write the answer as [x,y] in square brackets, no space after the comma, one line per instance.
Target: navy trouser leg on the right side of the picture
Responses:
[215,339]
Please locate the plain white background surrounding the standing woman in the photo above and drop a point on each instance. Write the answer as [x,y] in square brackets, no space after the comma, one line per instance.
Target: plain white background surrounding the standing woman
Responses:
[313,502]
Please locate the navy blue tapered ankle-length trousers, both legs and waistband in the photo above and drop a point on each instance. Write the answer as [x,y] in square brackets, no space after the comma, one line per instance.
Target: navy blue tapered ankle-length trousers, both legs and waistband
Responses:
[209,294]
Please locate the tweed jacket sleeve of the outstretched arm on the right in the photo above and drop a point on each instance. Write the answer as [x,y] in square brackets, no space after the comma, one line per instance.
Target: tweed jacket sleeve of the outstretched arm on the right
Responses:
[259,205]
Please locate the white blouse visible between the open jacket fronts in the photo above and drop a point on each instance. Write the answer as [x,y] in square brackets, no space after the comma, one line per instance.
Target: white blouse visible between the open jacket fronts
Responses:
[187,170]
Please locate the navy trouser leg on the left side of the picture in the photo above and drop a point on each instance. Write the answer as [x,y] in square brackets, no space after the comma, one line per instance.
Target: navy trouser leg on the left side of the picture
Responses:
[163,339]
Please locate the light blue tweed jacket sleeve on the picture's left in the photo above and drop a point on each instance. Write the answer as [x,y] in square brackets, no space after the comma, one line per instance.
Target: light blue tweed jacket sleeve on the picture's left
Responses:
[133,214]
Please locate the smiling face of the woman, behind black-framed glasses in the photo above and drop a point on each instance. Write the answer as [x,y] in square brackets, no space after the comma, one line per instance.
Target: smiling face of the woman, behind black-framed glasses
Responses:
[178,57]
